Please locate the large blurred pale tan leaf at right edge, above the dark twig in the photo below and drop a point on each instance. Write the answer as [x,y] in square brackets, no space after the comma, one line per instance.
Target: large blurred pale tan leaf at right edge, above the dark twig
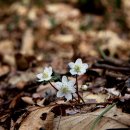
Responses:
[112,42]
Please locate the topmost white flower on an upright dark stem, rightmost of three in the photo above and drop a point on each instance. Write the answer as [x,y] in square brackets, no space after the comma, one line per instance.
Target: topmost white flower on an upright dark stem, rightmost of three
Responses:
[78,68]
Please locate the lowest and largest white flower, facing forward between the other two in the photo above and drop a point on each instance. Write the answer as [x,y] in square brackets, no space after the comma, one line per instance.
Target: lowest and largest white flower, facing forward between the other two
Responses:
[65,88]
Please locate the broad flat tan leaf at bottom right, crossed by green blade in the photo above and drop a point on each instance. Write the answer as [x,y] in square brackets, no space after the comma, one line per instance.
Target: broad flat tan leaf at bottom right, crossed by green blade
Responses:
[113,119]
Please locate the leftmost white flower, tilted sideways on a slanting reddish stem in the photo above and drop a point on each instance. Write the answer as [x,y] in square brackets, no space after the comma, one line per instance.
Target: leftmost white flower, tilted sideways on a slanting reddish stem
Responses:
[45,75]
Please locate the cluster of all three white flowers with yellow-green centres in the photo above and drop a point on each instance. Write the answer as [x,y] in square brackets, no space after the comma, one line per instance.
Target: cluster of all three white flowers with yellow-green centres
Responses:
[66,88]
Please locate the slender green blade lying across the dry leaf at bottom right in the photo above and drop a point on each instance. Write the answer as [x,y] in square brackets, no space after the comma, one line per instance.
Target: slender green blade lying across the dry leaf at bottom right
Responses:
[100,116]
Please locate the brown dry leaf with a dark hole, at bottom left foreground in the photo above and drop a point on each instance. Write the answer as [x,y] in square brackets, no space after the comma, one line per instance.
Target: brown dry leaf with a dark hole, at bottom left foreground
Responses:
[34,120]
